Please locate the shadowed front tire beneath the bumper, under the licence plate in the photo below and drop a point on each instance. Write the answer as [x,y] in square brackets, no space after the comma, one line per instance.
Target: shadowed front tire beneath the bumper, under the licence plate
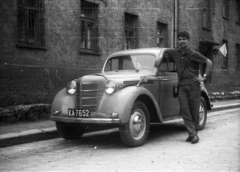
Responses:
[70,131]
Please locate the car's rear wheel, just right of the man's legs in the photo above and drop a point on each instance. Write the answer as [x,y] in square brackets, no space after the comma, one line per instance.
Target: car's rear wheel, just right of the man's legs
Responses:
[202,114]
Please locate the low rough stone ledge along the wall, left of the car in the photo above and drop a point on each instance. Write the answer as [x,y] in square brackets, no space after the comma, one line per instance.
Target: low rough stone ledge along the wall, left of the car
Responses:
[32,112]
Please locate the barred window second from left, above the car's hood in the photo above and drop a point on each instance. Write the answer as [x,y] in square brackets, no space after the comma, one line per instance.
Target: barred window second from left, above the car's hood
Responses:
[89,26]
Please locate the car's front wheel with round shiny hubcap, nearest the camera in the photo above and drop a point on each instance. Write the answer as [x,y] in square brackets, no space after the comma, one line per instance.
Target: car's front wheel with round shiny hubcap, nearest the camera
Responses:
[136,131]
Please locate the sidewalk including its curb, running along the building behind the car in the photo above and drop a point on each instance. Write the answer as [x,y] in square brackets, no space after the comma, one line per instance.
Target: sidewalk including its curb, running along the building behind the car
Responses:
[24,132]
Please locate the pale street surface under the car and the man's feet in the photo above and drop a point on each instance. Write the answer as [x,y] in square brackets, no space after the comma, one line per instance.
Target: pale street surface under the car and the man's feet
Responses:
[166,149]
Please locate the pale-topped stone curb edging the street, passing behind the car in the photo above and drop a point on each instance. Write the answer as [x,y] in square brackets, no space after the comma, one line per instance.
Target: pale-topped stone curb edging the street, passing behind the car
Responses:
[51,133]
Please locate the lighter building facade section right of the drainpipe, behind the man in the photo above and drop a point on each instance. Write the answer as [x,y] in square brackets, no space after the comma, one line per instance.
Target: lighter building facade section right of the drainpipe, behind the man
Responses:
[213,23]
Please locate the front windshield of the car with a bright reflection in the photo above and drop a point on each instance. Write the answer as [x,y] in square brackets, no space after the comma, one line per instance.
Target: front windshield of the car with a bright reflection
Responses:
[131,62]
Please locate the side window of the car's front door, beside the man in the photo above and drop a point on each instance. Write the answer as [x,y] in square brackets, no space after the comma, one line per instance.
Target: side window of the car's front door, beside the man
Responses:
[167,65]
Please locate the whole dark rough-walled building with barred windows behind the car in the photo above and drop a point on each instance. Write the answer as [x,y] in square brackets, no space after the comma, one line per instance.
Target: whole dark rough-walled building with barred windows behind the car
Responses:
[44,43]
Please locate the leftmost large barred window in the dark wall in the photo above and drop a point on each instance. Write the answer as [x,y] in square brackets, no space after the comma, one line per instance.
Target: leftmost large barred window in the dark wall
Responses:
[31,23]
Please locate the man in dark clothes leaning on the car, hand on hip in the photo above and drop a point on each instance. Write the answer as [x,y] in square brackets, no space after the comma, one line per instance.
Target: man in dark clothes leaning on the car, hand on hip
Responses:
[187,62]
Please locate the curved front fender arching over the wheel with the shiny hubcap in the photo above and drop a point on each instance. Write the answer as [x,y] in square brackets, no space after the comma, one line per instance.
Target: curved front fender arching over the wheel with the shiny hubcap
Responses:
[122,102]
